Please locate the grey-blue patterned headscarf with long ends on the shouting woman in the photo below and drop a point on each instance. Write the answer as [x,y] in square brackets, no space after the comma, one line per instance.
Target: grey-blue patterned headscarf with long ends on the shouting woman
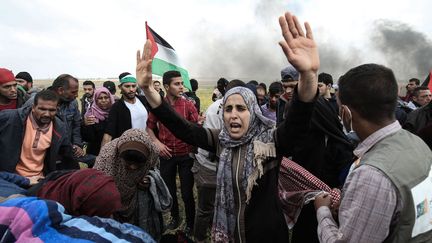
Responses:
[260,131]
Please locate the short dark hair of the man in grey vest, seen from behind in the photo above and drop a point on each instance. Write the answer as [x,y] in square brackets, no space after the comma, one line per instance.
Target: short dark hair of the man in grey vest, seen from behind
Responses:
[371,90]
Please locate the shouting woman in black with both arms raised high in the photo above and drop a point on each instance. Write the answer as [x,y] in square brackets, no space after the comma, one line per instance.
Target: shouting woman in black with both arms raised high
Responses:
[247,207]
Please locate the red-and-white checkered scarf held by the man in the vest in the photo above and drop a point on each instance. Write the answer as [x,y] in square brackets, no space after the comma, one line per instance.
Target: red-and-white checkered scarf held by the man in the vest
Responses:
[297,187]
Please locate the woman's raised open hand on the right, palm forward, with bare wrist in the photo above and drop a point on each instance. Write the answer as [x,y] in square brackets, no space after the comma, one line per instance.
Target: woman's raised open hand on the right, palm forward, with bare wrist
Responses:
[302,52]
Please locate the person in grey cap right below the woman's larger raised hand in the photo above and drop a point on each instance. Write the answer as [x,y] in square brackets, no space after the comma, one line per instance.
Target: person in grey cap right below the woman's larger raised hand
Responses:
[290,78]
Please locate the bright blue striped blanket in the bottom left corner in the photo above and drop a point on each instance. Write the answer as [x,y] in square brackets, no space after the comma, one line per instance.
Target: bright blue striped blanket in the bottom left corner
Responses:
[29,219]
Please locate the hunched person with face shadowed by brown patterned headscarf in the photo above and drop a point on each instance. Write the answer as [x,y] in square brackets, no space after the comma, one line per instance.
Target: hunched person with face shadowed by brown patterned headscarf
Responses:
[130,160]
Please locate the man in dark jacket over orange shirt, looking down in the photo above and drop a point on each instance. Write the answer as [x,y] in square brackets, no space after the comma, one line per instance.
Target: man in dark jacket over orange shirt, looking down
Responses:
[33,140]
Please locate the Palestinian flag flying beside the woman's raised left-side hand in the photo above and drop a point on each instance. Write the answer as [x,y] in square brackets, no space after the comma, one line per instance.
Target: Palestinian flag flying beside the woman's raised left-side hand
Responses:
[165,57]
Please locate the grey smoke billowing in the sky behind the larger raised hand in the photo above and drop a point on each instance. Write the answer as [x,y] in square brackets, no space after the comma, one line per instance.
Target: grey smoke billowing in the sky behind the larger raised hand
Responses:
[253,52]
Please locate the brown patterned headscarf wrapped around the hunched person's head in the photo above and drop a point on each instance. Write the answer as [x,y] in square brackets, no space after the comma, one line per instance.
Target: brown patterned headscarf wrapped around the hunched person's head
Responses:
[126,180]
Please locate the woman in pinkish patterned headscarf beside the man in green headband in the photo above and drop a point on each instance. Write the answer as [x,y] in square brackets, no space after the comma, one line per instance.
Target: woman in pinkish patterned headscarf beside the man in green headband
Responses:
[95,119]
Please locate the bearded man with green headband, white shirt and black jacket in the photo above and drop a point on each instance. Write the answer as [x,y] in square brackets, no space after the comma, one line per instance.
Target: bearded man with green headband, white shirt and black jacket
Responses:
[129,112]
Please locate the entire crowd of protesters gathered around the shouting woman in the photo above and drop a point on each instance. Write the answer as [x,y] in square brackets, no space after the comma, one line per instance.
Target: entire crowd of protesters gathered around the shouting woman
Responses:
[304,160]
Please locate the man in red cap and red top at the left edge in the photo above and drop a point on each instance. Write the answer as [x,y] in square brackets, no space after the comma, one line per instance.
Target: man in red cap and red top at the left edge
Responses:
[10,96]
